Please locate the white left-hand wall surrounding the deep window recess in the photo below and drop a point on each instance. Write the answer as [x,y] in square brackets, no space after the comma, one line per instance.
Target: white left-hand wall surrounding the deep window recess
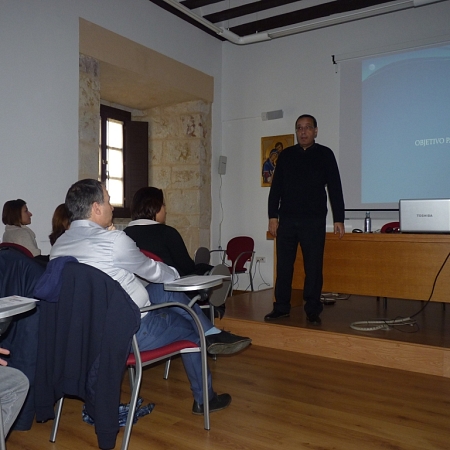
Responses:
[39,88]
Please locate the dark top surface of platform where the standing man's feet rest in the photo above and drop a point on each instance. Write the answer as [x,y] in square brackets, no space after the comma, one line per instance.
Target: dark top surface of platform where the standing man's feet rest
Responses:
[433,323]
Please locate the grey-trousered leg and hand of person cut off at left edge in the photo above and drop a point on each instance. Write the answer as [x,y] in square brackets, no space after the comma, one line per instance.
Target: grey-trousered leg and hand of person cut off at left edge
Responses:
[13,392]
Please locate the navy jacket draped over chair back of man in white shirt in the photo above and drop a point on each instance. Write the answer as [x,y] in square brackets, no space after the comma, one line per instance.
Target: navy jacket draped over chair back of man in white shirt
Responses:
[84,341]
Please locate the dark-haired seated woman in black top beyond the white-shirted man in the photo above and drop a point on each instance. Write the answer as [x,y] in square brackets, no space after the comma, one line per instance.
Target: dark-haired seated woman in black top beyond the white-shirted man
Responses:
[149,231]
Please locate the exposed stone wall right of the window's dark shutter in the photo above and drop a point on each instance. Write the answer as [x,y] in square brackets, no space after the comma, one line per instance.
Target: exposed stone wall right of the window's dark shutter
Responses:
[180,164]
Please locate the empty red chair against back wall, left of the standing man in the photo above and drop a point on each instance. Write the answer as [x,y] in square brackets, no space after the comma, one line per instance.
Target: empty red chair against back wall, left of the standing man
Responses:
[240,250]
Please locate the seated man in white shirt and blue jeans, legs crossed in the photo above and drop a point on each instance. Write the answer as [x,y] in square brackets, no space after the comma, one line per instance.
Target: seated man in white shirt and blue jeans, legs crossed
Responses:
[90,242]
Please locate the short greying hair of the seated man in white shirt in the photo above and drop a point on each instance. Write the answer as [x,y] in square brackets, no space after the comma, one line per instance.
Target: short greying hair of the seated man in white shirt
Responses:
[81,196]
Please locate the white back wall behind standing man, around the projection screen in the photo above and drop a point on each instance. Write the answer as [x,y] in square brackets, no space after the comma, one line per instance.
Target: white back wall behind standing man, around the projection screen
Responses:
[294,74]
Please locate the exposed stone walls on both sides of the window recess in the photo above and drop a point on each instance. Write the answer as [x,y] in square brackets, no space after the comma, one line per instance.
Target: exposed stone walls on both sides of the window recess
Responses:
[179,155]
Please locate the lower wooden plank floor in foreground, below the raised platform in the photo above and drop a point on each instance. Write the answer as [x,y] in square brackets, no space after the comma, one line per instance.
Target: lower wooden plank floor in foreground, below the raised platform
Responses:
[281,400]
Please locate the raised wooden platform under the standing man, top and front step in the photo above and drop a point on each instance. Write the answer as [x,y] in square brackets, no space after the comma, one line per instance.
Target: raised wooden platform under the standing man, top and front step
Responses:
[424,348]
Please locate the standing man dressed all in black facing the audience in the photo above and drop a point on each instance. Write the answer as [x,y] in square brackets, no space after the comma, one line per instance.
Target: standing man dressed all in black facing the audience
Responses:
[297,215]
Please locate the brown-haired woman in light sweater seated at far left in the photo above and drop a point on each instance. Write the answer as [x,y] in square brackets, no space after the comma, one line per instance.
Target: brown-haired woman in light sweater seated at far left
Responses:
[16,217]
